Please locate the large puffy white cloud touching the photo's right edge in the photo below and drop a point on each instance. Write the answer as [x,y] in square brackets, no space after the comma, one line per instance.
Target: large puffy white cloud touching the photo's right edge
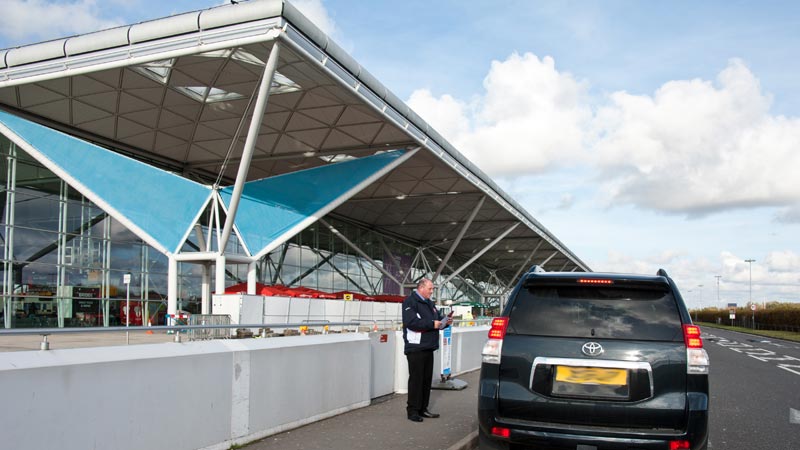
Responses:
[696,147]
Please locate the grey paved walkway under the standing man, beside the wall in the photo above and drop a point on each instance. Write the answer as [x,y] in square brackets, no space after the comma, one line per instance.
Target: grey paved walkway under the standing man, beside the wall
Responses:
[383,425]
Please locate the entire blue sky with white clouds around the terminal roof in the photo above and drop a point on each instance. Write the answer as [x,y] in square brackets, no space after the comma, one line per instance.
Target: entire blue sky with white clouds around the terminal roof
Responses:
[643,135]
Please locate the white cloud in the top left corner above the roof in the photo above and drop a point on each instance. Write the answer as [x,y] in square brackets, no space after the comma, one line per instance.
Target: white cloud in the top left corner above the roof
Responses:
[33,20]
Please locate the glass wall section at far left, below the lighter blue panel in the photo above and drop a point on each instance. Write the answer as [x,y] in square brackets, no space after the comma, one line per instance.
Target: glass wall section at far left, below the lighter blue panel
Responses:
[63,258]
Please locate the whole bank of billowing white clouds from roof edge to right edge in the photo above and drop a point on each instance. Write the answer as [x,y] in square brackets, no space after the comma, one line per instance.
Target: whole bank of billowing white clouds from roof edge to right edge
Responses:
[694,147]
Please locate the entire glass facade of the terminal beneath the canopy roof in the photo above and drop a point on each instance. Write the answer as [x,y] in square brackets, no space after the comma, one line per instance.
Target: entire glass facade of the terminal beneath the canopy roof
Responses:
[64,258]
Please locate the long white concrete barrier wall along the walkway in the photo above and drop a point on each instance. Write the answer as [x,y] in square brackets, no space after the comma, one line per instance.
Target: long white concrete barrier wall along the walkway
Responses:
[203,394]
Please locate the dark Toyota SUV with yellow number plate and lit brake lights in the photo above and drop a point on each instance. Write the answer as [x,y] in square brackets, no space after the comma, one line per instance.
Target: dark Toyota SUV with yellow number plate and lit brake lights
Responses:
[590,361]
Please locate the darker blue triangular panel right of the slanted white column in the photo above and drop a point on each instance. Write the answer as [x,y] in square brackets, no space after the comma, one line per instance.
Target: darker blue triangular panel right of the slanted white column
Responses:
[274,209]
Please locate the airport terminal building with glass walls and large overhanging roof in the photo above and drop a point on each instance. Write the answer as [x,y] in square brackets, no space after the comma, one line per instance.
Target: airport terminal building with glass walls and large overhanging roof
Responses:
[233,145]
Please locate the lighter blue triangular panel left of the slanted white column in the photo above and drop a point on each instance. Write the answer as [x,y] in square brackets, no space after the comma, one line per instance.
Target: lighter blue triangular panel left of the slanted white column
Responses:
[159,206]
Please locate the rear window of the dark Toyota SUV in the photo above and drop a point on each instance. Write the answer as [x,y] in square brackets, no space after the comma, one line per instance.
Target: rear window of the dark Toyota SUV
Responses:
[596,312]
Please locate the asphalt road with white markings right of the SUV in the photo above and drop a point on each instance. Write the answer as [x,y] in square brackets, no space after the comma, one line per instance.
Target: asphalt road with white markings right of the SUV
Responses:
[755,391]
